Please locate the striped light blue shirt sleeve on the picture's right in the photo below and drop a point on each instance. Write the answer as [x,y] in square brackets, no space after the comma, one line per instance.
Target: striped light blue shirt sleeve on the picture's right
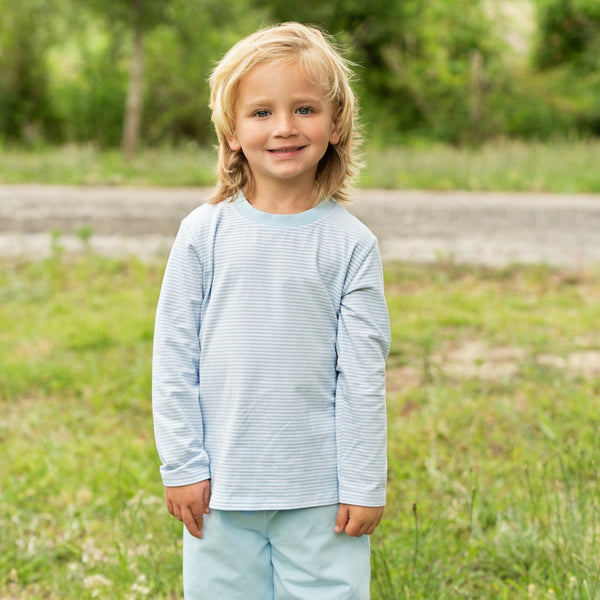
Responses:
[363,343]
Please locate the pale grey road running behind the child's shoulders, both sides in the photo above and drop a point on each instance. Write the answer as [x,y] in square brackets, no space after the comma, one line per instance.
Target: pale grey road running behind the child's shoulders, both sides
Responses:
[467,227]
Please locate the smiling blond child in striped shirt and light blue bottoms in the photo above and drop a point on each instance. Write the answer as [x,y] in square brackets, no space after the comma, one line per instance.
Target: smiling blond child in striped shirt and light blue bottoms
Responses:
[271,338]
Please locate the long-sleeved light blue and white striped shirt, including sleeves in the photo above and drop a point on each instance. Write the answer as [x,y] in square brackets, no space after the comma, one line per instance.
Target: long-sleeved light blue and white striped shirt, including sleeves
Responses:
[269,358]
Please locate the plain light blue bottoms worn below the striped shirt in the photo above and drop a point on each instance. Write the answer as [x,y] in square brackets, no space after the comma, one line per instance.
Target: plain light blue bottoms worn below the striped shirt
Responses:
[275,555]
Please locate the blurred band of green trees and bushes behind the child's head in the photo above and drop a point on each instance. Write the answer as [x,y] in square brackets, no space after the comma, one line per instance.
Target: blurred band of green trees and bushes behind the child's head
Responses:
[133,73]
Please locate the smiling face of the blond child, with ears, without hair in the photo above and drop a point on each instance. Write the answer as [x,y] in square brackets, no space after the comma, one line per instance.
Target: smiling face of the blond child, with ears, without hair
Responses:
[283,124]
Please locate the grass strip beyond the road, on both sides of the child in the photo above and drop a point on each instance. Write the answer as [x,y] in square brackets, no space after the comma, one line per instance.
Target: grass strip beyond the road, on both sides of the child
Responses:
[560,166]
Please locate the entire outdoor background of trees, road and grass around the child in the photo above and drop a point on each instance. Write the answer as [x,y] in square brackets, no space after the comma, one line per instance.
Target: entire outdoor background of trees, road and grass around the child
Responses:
[494,297]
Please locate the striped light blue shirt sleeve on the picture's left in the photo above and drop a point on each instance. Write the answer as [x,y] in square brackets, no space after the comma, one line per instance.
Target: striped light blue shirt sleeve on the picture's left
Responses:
[175,368]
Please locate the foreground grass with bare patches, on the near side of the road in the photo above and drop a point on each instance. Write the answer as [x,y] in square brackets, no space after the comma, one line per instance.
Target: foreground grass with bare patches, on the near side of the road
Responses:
[493,435]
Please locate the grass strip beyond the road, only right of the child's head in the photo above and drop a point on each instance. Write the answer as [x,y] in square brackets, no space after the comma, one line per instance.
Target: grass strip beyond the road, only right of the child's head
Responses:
[506,165]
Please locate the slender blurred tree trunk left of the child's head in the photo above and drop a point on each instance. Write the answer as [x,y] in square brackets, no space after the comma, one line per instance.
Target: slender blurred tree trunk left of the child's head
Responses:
[133,107]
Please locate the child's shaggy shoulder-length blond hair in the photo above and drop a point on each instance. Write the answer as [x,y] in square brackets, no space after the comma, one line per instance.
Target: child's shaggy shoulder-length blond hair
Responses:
[323,64]
